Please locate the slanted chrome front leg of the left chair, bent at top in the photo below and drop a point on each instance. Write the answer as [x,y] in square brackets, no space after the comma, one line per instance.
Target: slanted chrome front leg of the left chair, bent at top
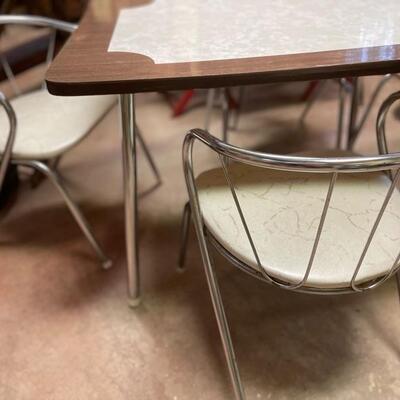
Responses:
[72,206]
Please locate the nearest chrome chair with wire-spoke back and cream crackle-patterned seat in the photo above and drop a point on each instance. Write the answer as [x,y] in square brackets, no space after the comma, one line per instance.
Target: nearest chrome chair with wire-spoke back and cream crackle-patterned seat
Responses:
[307,223]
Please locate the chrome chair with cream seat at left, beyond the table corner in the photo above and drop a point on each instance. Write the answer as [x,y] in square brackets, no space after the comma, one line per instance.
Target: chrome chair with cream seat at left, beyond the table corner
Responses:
[42,127]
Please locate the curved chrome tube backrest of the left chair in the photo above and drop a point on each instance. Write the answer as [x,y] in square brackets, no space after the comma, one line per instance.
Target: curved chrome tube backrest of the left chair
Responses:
[53,25]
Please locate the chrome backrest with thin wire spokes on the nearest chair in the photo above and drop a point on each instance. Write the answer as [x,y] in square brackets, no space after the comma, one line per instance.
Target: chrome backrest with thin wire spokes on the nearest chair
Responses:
[388,164]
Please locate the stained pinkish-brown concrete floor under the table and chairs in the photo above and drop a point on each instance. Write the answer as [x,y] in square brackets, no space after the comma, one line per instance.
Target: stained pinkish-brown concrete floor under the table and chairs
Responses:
[66,331]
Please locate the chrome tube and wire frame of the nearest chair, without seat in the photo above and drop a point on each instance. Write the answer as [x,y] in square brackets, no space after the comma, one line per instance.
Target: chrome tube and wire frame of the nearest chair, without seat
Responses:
[387,164]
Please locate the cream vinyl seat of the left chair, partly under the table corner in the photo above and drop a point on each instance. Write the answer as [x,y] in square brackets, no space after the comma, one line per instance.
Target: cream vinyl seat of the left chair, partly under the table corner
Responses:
[49,125]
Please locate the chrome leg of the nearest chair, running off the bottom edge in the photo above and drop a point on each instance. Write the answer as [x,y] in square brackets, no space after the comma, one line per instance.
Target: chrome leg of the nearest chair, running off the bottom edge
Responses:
[222,324]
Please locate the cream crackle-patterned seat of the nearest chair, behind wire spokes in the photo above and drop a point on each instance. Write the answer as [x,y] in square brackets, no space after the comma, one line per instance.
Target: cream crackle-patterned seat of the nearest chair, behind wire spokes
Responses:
[282,211]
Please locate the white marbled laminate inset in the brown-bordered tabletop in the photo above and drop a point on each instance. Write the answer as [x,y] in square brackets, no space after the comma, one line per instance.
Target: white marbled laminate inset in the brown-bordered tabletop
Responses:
[171,31]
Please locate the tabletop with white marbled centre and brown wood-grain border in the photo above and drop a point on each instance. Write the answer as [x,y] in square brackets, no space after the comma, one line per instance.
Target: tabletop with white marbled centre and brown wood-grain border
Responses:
[288,40]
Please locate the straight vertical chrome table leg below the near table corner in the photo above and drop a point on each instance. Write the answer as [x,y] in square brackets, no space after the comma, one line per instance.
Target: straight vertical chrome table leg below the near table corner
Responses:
[127,108]
